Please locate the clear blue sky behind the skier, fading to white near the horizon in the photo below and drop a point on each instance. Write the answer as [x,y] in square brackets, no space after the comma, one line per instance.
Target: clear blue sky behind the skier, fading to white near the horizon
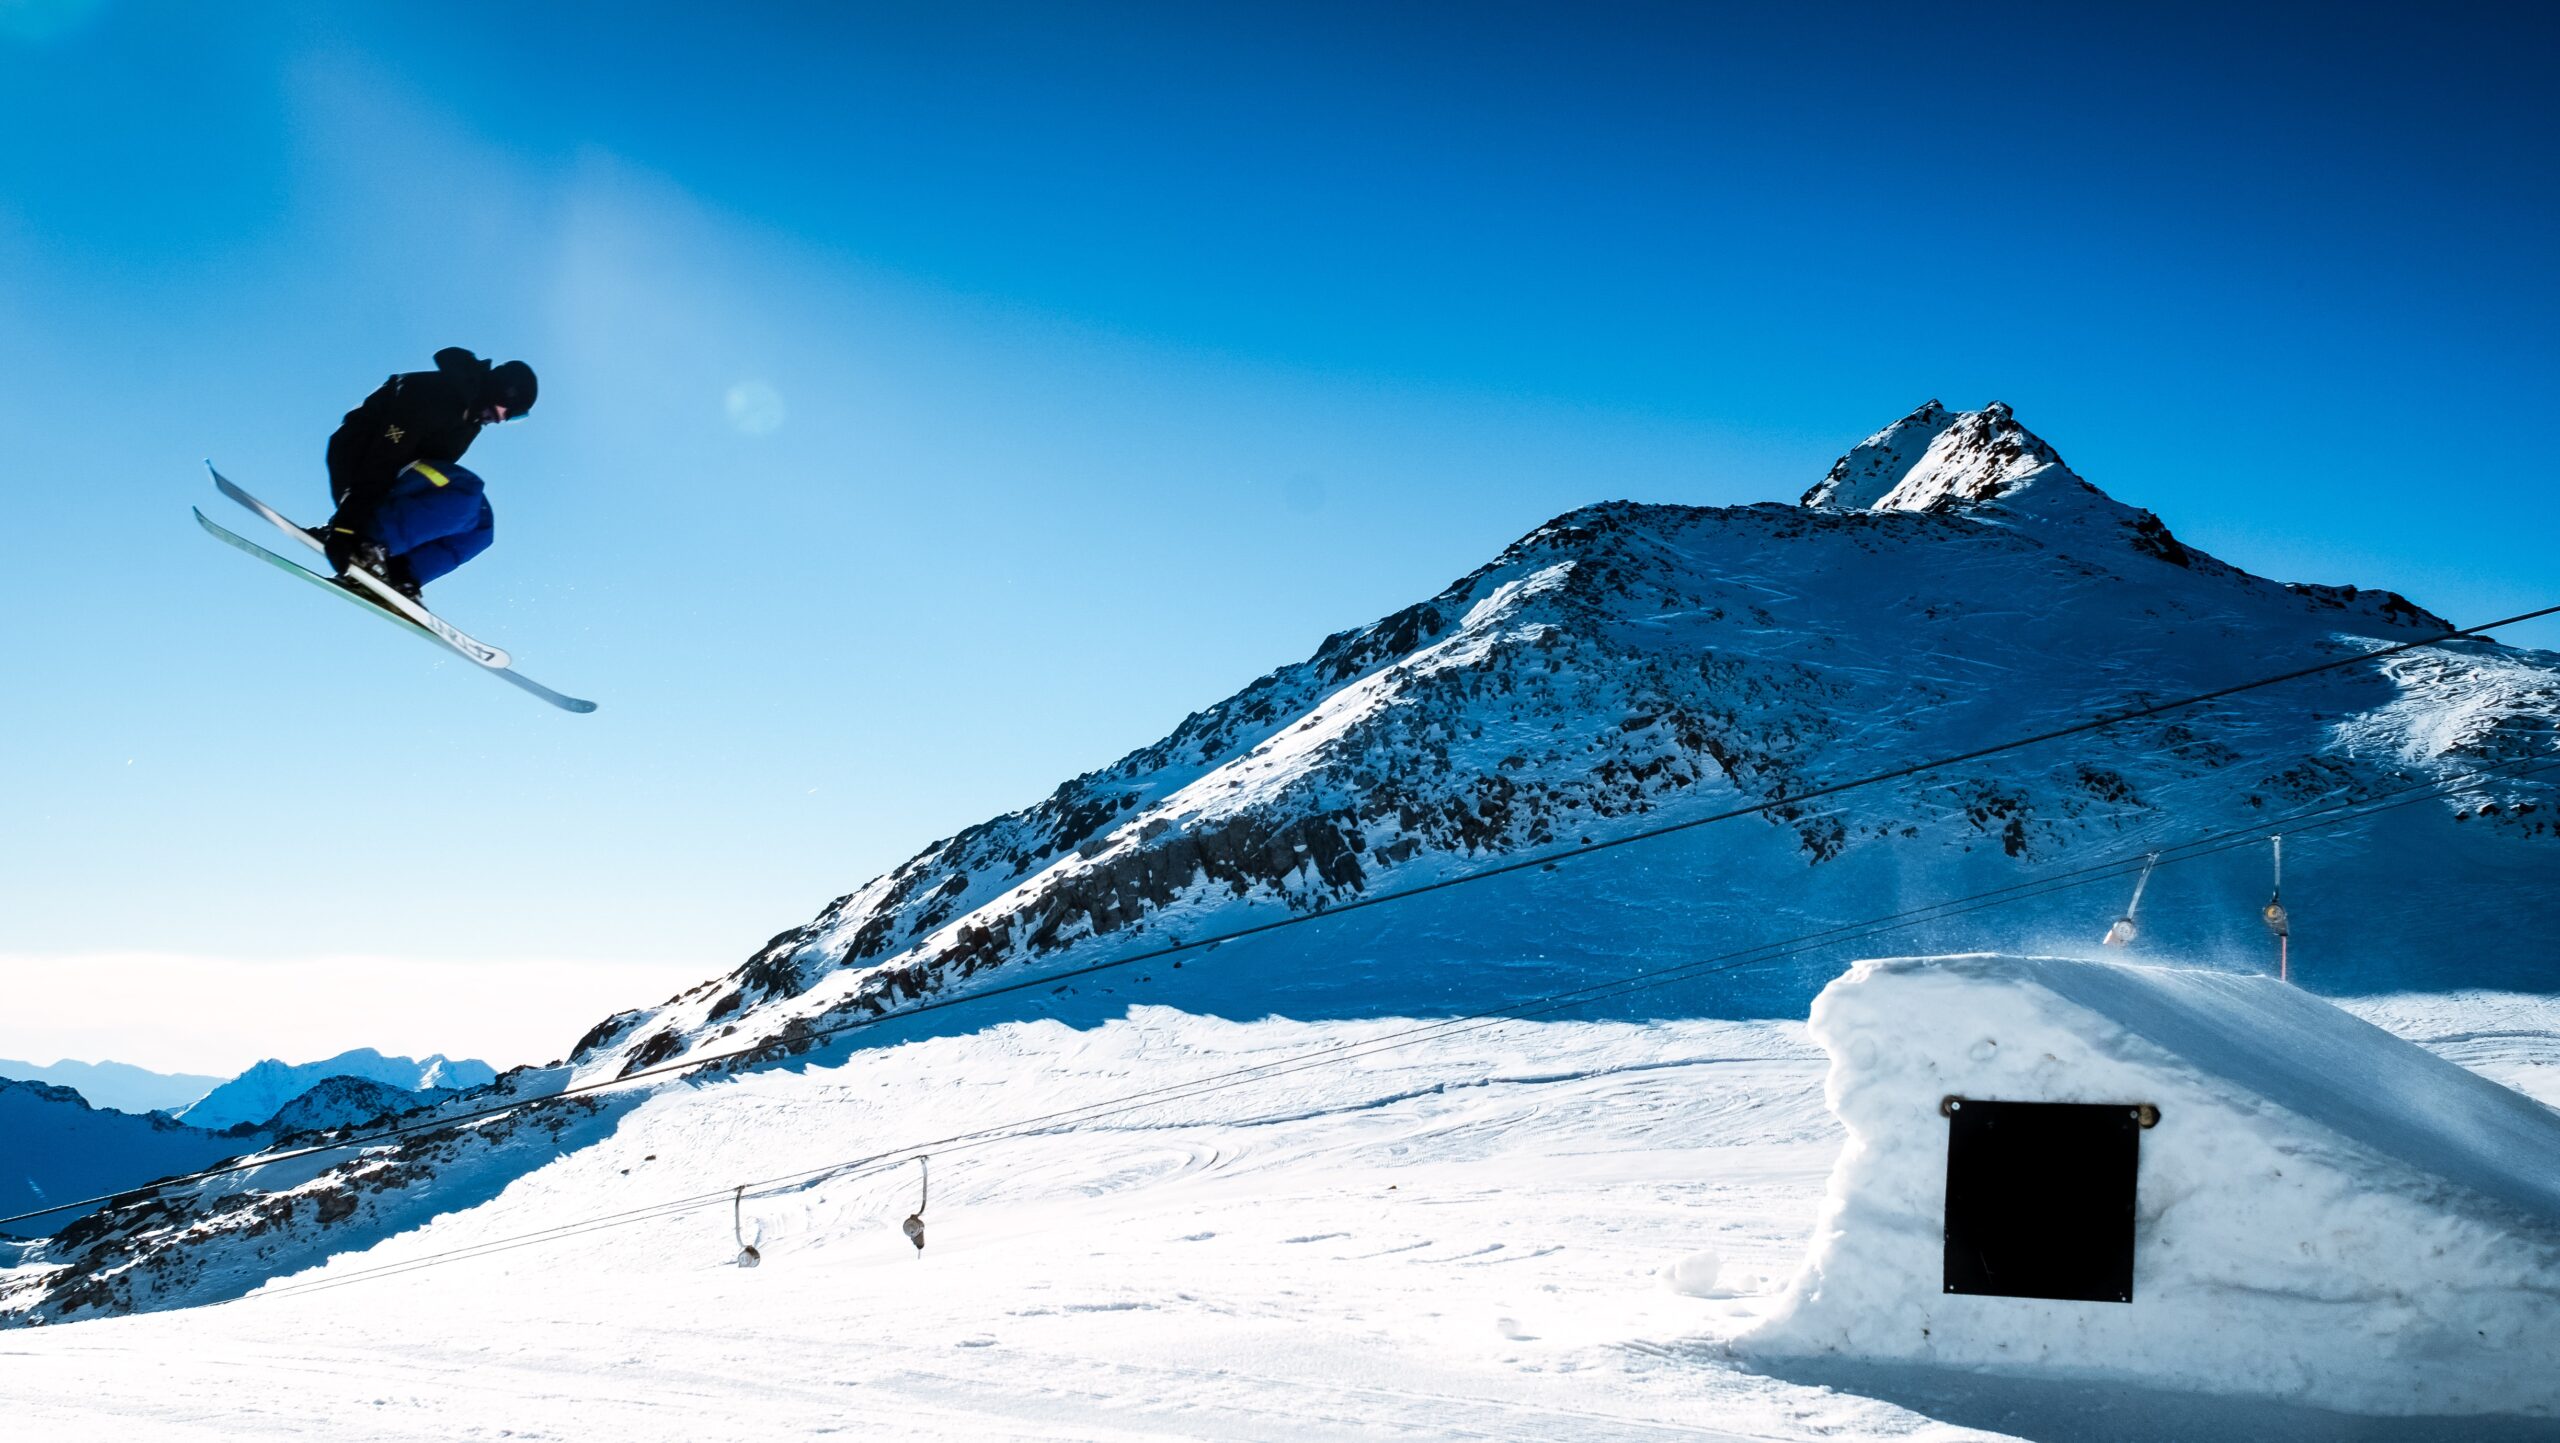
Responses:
[1087,362]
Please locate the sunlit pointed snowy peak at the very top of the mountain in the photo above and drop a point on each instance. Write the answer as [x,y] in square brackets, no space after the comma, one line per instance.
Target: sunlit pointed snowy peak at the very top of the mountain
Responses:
[1944,462]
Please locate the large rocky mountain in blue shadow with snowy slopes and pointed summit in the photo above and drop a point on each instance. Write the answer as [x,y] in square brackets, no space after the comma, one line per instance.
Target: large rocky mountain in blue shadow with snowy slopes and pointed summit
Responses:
[1629,666]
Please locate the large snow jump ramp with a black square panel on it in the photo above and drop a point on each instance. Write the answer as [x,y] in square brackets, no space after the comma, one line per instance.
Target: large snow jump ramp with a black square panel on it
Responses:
[2326,1214]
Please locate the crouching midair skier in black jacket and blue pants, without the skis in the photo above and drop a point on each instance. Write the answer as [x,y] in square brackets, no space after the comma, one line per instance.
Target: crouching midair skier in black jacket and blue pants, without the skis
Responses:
[406,513]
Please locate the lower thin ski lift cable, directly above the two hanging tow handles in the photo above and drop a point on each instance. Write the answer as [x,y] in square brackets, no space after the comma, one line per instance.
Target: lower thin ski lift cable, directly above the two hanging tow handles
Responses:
[1432,1032]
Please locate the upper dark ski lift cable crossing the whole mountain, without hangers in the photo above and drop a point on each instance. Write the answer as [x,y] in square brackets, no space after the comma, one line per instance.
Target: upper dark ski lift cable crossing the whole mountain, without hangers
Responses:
[1217,940]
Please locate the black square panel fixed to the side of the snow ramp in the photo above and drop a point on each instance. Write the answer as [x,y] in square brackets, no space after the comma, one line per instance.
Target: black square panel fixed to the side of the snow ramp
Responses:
[2039,1199]
